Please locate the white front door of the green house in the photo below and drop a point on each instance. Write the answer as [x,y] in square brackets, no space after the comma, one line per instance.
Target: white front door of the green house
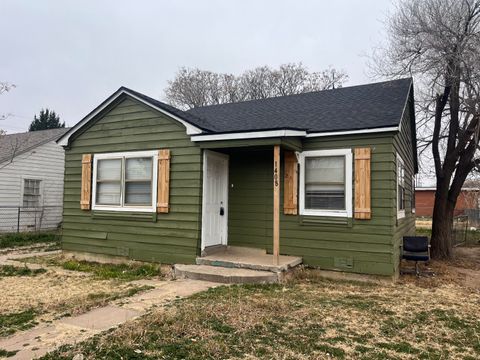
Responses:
[215,199]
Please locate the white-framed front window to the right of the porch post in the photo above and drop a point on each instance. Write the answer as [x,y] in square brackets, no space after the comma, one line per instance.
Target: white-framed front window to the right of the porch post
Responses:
[326,182]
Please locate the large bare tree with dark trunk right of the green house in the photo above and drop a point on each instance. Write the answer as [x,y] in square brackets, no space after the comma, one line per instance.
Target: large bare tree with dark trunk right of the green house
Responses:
[438,42]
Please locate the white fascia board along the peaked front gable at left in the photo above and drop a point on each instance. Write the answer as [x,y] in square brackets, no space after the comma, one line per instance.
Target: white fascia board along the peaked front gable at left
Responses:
[191,129]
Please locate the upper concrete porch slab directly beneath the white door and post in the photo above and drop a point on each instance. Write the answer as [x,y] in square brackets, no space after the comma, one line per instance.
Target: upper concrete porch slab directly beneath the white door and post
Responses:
[248,258]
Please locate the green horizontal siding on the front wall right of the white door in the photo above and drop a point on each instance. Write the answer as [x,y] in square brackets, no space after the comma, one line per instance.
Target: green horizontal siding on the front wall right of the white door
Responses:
[369,243]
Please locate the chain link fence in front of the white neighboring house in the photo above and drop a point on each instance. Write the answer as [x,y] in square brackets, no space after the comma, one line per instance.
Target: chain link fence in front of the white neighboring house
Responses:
[25,219]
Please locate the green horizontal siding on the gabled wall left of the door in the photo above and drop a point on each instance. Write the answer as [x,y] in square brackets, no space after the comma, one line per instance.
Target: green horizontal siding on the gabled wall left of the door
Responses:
[169,238]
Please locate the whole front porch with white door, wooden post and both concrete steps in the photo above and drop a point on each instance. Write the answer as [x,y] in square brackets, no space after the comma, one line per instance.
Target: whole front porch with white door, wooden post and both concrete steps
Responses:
[241,209]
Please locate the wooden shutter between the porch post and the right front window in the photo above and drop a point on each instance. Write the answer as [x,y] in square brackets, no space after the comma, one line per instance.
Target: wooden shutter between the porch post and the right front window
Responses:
[290,184]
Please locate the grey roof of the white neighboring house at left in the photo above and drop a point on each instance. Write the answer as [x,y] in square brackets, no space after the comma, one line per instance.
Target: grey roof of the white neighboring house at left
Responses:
[15,144]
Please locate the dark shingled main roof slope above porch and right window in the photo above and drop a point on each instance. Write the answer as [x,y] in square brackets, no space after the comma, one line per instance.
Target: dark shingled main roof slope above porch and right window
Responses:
[368,106]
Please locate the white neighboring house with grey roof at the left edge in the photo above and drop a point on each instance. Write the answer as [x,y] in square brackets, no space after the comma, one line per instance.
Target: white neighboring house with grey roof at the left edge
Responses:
[31,180]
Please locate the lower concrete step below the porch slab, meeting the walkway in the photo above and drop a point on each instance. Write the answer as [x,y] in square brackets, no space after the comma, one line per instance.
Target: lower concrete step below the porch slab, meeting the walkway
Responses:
[225,275]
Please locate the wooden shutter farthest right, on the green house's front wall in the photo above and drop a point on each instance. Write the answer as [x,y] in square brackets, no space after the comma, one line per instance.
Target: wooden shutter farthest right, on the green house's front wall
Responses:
[362,183]
